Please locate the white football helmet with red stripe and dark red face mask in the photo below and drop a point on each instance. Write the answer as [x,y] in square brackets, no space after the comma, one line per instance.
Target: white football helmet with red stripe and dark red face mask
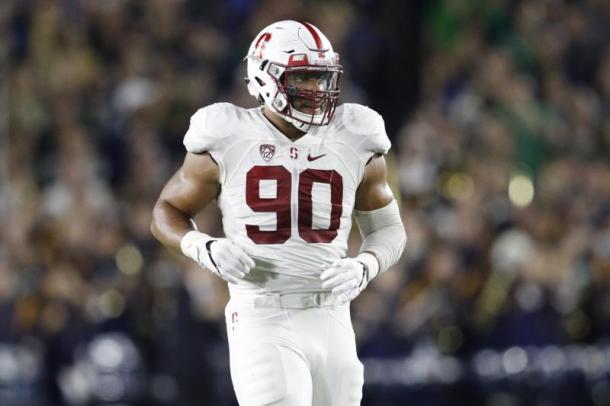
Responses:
[289,52]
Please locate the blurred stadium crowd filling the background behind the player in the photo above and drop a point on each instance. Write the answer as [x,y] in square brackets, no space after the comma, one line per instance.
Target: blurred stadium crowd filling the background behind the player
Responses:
[499,115]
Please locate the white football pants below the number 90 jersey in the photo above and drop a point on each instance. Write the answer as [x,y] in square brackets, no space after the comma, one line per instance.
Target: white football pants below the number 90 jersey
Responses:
[284,355]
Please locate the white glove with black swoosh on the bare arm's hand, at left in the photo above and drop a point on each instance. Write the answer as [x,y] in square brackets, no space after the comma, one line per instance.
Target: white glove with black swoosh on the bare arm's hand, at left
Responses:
[219,255]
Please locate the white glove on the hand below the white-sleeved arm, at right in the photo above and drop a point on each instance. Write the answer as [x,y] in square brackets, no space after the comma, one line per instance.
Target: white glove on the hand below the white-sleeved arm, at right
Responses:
[347,277]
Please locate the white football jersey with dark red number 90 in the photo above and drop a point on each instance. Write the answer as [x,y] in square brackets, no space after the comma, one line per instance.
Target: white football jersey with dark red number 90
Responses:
[287,203]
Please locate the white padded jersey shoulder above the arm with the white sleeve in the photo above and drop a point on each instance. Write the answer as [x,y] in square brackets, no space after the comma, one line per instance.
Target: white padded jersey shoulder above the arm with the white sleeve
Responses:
[368,124]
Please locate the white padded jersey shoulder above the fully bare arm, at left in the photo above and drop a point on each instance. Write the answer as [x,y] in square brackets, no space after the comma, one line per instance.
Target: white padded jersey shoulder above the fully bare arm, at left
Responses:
[208,129]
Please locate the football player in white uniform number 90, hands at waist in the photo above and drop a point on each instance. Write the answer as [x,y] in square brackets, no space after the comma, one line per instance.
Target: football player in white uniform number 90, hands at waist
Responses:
[288,177]
